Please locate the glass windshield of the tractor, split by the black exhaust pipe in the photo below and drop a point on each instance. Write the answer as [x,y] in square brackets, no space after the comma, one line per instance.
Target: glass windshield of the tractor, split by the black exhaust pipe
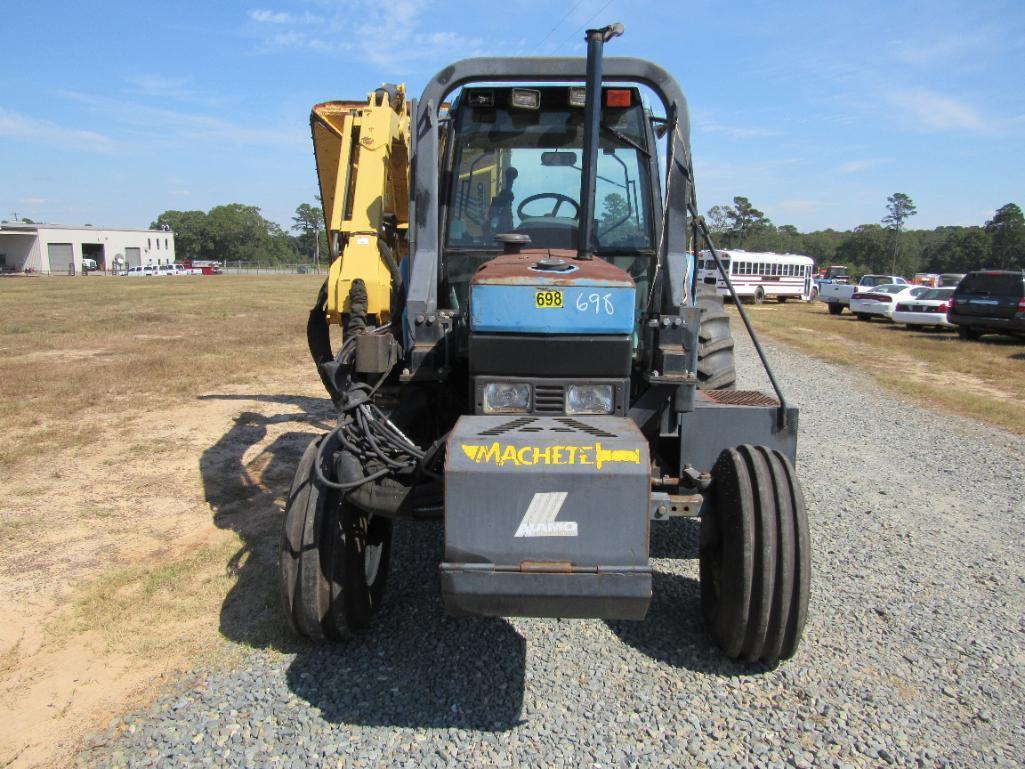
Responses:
[518,171]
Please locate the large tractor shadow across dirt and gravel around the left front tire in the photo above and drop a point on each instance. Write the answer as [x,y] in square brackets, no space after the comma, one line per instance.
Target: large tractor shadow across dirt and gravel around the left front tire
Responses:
[401,673]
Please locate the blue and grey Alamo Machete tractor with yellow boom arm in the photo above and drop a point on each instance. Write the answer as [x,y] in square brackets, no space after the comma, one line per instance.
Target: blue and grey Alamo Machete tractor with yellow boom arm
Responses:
[515,339]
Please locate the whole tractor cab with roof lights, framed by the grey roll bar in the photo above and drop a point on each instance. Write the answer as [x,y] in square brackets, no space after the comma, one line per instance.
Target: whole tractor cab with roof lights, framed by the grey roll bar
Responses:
[516,157]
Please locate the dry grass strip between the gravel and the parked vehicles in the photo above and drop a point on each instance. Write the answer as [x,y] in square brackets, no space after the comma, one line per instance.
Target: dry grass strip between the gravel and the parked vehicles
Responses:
[981,380]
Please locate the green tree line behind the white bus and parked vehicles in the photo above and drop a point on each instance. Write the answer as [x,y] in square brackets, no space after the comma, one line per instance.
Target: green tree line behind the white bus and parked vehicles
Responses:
[887,248]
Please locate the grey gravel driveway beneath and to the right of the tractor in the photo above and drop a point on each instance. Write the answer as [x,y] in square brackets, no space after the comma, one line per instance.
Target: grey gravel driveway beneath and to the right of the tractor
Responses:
[914,654]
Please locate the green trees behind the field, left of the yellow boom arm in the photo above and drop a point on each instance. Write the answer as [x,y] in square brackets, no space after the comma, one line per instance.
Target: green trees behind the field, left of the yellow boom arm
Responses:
[240,233]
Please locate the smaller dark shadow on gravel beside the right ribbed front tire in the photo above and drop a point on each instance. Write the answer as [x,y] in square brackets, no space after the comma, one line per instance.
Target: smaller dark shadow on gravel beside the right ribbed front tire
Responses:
[674,630]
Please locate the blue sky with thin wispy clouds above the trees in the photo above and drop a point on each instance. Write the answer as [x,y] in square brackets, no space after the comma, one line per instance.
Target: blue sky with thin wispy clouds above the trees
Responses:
[114,112]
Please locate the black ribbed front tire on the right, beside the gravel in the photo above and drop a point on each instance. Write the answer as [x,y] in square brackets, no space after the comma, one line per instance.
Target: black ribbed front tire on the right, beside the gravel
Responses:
[756,557]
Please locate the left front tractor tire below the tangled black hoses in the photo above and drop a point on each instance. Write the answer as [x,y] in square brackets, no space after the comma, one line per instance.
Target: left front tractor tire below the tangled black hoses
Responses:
[334,558]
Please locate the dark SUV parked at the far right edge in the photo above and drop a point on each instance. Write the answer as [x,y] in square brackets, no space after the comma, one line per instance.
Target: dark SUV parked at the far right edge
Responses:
[990,302]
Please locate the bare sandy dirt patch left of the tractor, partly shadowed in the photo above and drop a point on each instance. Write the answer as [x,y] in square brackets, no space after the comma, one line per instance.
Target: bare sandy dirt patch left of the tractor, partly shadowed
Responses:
[120,557]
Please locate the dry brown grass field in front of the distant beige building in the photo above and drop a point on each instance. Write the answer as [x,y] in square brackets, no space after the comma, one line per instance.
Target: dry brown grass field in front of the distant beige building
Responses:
[78,351]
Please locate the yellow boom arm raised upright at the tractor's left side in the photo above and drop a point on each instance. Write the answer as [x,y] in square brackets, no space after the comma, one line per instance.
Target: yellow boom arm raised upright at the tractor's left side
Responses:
[362,151]
